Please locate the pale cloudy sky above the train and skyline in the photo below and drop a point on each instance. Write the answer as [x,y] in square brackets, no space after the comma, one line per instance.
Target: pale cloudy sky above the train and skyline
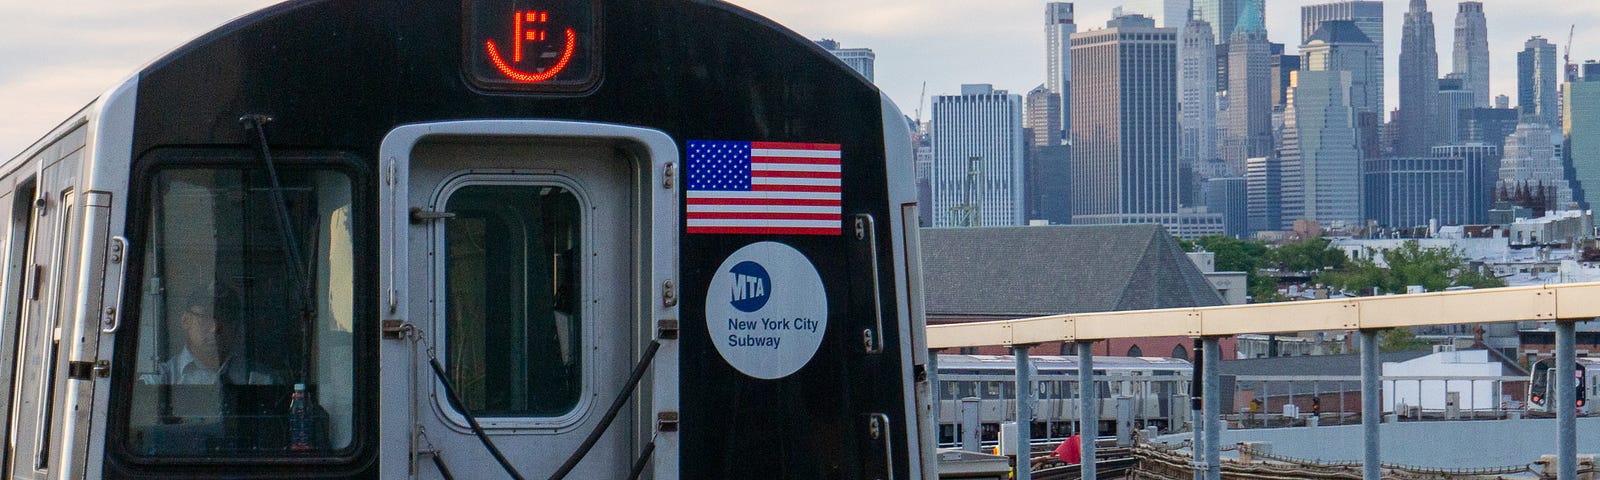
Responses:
[55,58]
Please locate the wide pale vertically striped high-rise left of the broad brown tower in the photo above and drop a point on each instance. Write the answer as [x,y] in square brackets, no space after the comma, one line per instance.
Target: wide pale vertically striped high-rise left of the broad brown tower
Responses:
[978,159]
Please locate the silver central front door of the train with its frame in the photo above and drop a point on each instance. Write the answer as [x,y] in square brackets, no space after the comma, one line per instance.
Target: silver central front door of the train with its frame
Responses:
[529,279]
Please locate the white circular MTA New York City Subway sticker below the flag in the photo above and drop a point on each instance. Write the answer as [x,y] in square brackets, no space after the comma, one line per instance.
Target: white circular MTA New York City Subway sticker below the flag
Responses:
[767,310]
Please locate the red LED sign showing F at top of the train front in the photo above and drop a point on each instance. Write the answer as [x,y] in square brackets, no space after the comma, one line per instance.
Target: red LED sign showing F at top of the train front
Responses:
[532,46]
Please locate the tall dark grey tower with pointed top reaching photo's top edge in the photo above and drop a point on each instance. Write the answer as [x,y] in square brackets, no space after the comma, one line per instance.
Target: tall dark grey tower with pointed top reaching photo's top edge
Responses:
[1418,84]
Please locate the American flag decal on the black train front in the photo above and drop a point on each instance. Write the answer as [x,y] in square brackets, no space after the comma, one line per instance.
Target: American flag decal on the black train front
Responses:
[764,188]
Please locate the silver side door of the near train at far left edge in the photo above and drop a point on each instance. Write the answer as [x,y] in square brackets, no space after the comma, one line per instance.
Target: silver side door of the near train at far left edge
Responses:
[44,316]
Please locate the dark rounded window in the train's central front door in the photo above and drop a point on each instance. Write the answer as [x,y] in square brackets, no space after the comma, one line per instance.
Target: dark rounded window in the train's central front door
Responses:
[513,311]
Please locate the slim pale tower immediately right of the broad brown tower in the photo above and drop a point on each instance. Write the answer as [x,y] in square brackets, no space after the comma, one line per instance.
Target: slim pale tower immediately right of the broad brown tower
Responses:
[1198,100]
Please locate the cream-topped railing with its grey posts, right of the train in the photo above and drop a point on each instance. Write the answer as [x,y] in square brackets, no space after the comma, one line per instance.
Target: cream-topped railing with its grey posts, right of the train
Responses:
[1566,305]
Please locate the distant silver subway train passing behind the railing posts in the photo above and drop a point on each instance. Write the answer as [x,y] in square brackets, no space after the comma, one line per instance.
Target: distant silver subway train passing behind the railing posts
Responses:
[1156,386]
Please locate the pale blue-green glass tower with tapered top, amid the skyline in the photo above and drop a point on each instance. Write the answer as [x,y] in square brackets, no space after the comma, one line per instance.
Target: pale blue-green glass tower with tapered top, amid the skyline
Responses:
[1326,154]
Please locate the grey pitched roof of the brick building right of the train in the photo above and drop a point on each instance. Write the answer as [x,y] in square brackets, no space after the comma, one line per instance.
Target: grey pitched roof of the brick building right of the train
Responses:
[1014,273]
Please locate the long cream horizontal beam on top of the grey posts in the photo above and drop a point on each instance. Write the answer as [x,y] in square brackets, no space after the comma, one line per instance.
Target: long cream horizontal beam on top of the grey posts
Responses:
[1574,302]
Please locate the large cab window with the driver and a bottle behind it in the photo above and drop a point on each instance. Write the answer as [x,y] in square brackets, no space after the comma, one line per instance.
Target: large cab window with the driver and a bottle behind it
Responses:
[246,321]
